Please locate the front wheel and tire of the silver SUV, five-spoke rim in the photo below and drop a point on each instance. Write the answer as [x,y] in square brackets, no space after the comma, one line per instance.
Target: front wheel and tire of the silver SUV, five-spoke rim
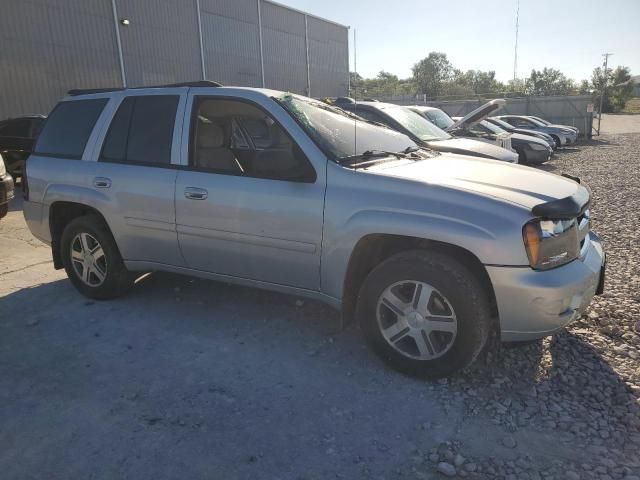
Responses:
[456,292]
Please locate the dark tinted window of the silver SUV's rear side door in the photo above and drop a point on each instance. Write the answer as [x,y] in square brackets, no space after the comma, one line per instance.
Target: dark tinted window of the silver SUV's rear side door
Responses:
[141,131]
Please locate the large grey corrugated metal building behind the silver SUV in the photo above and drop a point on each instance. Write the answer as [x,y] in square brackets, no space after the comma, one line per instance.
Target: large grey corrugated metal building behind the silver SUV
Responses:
[50,46]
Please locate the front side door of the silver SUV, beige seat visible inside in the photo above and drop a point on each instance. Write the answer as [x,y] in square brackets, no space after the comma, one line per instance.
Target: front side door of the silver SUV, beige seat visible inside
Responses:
[250,201]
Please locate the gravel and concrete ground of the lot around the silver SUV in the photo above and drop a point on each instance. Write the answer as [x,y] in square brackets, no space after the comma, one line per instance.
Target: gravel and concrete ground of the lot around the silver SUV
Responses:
[193,379]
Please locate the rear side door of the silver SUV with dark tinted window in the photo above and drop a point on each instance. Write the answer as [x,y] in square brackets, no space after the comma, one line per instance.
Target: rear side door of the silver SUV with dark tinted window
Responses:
[136,168]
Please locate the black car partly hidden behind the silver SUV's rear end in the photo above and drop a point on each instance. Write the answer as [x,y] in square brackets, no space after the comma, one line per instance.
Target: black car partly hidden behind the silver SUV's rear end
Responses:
[17,137]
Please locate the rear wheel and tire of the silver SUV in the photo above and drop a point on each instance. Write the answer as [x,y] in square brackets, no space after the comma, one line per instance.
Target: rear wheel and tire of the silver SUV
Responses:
[84,234]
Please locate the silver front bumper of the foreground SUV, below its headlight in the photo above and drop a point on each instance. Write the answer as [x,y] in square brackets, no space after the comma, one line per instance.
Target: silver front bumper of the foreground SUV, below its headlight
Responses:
[533,304]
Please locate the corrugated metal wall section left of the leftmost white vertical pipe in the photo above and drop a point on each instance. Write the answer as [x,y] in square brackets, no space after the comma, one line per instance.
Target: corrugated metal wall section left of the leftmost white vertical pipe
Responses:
[50,46]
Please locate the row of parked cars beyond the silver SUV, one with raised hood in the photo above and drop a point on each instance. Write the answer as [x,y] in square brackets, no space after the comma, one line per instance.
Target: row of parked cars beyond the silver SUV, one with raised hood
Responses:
[511,138]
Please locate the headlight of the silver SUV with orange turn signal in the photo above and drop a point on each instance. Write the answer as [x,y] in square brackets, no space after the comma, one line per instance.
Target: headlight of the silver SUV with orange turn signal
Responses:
[551,243]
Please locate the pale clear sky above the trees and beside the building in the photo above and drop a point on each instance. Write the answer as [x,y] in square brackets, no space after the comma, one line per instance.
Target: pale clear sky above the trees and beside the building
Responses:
[569,35]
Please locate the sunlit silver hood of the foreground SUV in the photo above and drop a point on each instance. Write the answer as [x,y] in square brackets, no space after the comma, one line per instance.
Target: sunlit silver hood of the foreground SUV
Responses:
[524,186]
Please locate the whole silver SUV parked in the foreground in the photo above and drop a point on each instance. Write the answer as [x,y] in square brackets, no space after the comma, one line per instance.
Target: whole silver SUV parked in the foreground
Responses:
[430,252]
